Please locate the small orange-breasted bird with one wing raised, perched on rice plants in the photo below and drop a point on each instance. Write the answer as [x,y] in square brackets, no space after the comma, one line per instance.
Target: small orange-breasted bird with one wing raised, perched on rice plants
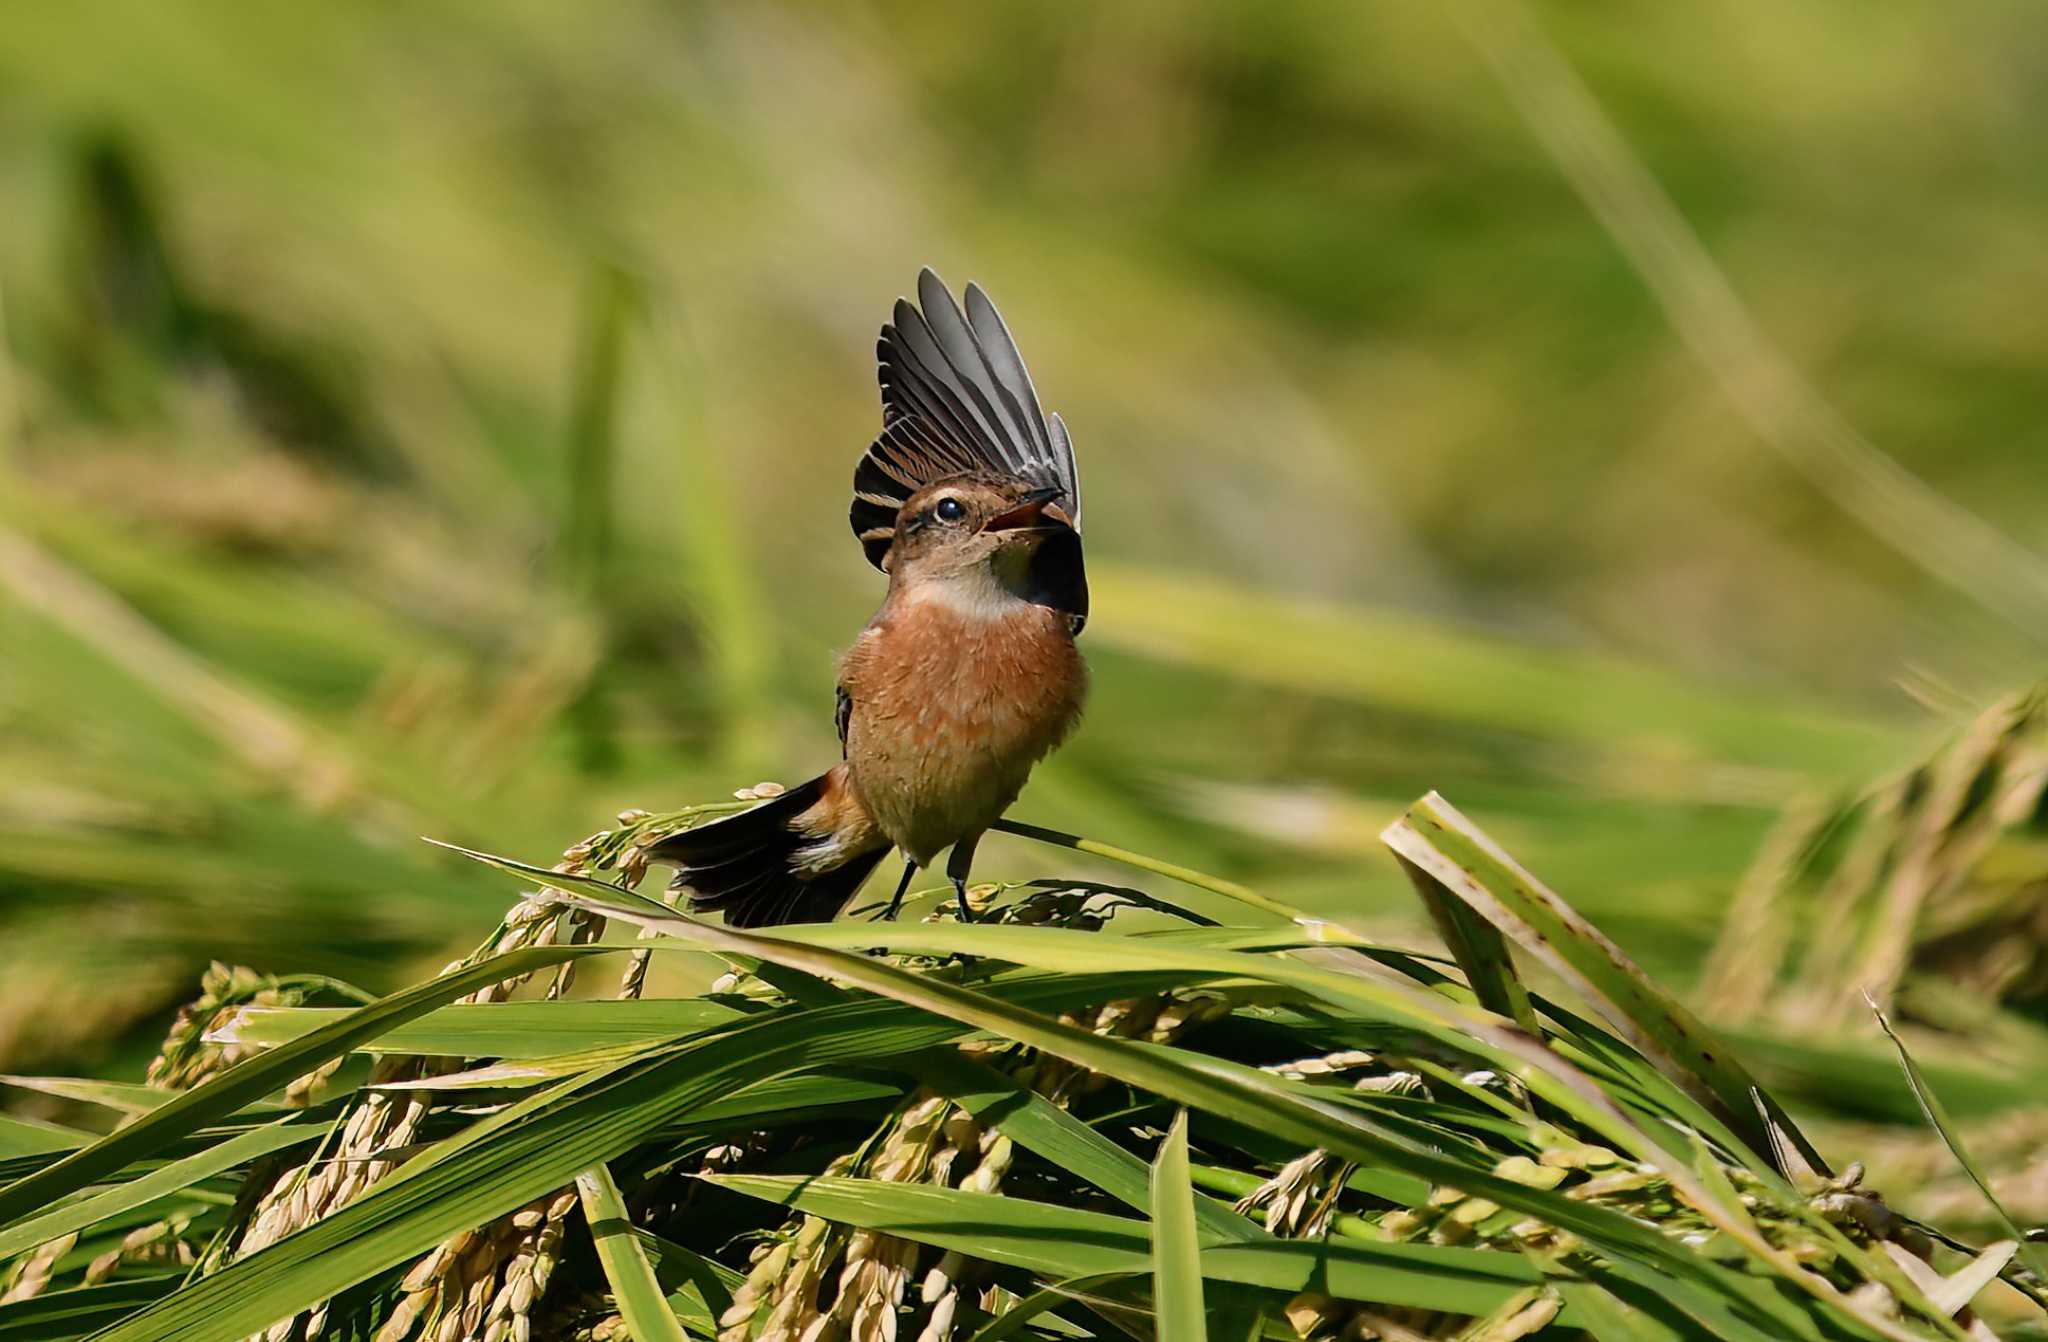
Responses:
[968,675]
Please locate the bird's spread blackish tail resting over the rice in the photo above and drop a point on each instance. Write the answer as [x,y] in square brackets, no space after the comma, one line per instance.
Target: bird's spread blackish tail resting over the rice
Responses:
[744,866]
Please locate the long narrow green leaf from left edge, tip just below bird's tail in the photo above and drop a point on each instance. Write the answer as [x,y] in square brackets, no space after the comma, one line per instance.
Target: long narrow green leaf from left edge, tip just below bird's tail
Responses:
[259,1077]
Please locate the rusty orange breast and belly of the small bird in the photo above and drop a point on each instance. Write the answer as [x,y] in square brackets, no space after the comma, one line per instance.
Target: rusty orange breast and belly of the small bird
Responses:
[949,714]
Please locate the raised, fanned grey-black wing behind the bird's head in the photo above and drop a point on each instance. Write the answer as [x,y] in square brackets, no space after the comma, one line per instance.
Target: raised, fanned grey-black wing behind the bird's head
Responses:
[955,399]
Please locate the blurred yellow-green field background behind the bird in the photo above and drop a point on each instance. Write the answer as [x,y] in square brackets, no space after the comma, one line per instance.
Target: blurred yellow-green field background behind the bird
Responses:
[437,419]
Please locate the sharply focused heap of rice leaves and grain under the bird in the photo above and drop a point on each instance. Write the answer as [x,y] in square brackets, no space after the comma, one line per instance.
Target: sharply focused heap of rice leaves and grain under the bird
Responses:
[1091,1114]
